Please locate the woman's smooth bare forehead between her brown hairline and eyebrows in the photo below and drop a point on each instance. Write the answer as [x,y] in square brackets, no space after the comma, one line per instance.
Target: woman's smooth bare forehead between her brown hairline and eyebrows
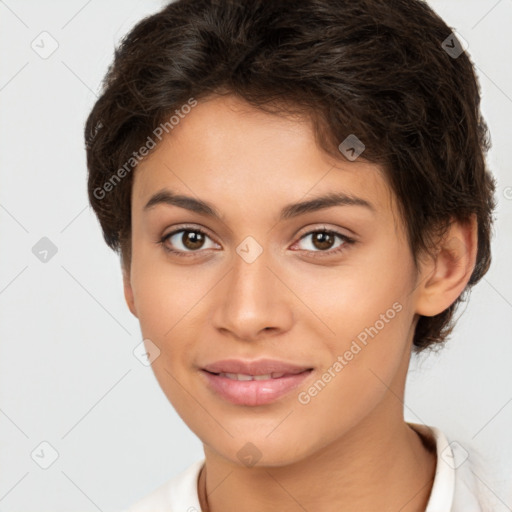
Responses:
[227,150]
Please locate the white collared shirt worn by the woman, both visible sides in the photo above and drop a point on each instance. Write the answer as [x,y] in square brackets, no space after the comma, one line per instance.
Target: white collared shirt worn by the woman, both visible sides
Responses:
[455,487]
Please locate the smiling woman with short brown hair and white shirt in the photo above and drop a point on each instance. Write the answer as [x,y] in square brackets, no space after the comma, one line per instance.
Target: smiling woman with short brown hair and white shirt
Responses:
[300,199]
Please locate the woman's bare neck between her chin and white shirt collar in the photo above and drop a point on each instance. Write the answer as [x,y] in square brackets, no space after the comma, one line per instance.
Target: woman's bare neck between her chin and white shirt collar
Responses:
[384,468]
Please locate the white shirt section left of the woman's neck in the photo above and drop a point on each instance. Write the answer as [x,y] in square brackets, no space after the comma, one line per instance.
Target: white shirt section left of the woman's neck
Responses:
[179,494]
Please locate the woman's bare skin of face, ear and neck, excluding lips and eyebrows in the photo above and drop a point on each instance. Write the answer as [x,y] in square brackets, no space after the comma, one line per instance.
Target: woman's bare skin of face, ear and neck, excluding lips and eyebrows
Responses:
[349,448]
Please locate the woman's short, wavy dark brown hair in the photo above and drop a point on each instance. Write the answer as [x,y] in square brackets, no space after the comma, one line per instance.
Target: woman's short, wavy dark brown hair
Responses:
[378,69]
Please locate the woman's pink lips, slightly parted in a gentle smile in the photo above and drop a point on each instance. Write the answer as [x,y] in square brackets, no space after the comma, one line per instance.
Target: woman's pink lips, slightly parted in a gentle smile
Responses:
[254,382]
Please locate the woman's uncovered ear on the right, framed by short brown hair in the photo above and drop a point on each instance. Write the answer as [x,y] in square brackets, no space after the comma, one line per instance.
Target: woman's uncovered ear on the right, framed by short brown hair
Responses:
[444,276]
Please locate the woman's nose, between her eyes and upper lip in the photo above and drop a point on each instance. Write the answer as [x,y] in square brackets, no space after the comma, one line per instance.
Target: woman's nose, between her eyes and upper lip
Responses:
[254,301]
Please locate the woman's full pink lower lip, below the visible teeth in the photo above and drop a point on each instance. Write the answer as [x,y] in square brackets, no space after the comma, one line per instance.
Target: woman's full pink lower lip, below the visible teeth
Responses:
[254,392]
